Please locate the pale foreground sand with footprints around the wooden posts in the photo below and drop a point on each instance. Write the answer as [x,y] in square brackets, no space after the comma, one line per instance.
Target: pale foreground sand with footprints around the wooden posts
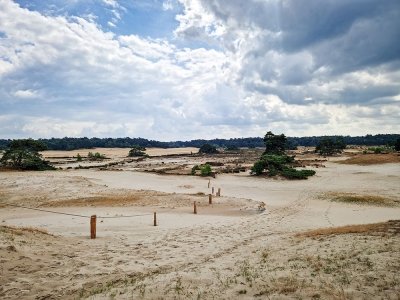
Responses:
[229,249]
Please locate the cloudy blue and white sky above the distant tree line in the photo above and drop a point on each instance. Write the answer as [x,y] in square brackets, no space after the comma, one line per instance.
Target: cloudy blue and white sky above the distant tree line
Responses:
[188,69]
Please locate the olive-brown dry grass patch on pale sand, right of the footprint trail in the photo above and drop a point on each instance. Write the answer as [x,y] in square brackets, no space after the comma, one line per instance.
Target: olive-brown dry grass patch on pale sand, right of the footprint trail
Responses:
[360,199]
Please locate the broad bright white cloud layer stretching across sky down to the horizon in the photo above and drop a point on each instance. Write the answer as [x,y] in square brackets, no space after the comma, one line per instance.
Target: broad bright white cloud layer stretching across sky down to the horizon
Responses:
[88,82]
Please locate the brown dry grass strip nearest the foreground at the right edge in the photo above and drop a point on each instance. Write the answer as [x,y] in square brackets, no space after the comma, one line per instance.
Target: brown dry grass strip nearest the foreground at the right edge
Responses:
[384,227]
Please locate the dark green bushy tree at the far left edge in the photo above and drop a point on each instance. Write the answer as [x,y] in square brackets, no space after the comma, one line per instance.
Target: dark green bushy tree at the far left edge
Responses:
[24,154]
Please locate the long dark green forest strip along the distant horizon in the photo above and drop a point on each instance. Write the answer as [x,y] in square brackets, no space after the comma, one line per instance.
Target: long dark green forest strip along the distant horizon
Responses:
[69,143]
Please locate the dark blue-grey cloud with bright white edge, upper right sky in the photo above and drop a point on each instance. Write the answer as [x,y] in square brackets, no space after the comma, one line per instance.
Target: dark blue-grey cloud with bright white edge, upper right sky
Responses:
[287,47]
